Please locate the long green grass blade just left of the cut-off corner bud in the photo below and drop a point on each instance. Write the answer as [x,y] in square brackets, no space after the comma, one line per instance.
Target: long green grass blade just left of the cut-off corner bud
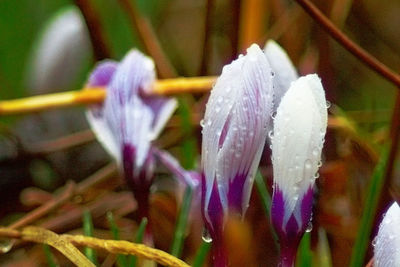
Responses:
[371,202]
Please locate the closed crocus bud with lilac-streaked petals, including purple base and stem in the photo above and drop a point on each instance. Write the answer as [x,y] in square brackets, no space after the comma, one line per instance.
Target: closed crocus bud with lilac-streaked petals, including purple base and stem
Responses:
[234,132]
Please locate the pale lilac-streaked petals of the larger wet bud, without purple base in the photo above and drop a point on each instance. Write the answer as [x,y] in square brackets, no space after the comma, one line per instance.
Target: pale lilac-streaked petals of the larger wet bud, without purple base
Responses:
[235,122]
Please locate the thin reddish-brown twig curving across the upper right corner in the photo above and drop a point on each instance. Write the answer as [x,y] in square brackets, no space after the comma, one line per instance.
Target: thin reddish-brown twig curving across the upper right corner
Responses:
[345,41]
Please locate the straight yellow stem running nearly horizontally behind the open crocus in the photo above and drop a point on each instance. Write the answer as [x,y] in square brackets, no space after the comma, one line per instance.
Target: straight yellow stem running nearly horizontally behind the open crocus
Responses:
[97,95]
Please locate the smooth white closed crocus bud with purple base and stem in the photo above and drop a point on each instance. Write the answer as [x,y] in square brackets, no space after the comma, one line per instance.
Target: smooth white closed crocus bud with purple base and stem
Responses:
[298,136]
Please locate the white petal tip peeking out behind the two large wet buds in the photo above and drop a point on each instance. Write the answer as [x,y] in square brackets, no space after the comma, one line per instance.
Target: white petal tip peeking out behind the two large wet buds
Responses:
[285,72]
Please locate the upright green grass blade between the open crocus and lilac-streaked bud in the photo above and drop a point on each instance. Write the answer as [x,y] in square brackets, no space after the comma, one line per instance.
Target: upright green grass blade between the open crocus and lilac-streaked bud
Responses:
[179,237]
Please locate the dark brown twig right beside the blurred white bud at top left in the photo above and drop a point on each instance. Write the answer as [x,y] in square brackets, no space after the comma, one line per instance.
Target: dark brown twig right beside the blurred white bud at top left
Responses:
[100,48]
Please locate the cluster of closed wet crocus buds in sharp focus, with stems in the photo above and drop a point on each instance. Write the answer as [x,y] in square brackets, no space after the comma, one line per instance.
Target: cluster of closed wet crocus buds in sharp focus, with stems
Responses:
[236,124]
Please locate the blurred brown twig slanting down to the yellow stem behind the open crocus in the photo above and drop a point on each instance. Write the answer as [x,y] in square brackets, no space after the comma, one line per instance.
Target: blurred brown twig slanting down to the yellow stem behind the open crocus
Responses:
[149,39]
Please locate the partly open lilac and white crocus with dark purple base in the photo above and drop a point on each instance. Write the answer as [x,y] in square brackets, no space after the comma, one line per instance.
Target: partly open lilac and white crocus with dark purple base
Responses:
[128,121]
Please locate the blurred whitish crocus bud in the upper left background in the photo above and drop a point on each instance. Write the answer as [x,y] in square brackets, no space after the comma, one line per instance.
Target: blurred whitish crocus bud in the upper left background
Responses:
[59,53]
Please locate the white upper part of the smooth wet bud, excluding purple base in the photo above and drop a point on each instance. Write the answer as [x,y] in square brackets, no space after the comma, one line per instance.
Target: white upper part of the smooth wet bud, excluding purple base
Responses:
[299,130]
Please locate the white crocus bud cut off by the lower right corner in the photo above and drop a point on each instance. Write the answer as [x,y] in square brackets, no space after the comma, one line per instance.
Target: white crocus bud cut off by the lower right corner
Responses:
[387,242]
